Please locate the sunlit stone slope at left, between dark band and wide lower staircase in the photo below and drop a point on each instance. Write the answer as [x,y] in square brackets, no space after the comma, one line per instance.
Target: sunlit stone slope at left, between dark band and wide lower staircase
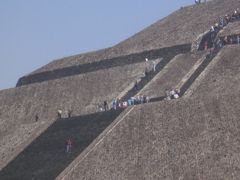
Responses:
[79,93]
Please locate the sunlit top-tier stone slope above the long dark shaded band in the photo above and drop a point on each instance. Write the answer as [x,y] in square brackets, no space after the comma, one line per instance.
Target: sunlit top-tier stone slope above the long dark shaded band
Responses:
[181,27]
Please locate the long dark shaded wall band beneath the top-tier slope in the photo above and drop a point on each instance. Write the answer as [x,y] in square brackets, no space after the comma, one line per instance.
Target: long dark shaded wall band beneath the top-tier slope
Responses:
[105,64]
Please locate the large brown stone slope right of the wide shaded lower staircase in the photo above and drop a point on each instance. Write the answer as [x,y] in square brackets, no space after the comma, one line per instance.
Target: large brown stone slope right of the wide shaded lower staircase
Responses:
[181,139]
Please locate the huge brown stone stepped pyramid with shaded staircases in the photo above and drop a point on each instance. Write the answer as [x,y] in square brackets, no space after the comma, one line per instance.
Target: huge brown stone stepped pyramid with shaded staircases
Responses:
[193,137]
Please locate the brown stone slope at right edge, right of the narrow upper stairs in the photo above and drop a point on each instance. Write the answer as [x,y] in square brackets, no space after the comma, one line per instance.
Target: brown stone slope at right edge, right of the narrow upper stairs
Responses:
[221,76]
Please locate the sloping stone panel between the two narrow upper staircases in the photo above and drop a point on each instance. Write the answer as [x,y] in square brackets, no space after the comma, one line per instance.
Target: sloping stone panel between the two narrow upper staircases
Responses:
[174,74]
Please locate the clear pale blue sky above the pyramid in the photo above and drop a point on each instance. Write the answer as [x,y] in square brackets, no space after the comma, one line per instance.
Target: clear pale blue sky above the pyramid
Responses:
[35,32]
